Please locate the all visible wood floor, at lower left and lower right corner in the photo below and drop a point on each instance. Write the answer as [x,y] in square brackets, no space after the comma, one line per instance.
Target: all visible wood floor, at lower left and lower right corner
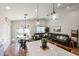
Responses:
[14,50]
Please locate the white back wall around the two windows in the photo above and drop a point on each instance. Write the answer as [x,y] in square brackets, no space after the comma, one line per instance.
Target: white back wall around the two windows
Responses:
[31,23]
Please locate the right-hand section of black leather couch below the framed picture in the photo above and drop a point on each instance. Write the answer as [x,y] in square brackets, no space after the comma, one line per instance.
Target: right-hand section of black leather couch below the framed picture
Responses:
[59,38]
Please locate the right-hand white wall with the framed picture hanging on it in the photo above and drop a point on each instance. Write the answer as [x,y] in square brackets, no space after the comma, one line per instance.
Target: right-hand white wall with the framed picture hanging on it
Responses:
[67,20]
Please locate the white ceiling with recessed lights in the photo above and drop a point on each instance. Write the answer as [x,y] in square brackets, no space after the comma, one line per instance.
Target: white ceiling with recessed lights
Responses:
[17,10]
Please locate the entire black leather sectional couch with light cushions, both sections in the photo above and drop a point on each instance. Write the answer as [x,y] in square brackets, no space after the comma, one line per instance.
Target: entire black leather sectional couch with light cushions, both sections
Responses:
[58,38]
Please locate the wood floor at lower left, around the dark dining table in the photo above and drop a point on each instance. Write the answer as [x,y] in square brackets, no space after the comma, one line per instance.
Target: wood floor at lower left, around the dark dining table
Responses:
[14,50]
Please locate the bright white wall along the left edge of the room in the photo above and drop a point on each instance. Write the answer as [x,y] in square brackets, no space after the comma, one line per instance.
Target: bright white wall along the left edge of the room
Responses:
[5,34]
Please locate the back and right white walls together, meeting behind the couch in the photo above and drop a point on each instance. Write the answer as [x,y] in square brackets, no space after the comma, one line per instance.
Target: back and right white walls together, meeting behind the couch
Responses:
[67,19]
